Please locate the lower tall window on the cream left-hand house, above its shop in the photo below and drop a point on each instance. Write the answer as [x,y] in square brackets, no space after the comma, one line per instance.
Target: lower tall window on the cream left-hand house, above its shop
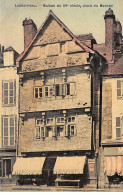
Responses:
[9,124]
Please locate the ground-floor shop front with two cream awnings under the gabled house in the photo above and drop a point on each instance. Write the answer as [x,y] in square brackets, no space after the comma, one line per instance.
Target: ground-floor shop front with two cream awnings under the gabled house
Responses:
[54,170]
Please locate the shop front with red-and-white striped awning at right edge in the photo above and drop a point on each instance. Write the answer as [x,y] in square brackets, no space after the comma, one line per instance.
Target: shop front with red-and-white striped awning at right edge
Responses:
[113,167]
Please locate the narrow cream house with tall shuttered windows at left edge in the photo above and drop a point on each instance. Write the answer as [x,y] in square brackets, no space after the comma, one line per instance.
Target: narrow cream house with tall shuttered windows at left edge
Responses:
[9,82]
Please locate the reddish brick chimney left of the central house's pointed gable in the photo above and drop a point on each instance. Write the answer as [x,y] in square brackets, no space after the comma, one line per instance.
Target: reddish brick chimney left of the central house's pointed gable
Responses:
[30,29]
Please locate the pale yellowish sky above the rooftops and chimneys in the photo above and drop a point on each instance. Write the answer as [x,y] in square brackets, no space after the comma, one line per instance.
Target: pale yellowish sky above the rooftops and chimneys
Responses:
[80,16]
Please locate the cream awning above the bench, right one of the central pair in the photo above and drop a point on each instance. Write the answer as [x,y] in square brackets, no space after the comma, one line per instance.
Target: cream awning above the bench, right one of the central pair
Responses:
[69,165]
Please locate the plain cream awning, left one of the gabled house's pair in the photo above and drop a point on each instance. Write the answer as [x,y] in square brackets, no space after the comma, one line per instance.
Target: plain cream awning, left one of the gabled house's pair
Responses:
[28,166]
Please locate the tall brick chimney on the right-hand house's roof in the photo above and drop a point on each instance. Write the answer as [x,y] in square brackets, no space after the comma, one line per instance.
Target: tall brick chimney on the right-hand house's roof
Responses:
[109,34]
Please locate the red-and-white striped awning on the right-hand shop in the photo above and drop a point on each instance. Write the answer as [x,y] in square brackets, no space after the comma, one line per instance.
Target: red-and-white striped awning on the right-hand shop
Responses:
[114,164]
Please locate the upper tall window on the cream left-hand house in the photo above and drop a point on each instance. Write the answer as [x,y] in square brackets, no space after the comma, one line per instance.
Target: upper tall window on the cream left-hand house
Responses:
[9,92]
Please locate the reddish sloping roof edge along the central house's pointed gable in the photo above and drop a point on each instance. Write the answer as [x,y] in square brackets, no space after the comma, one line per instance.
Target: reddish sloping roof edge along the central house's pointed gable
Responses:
[51,14]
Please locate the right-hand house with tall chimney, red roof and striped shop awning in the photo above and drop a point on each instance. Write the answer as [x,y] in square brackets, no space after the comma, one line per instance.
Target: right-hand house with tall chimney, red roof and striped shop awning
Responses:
[111,132]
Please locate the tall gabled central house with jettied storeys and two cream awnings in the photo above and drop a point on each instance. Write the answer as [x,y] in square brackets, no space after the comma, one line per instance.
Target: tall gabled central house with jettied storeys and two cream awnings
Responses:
[59,87]
